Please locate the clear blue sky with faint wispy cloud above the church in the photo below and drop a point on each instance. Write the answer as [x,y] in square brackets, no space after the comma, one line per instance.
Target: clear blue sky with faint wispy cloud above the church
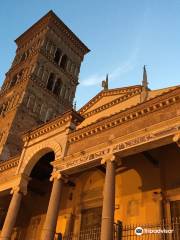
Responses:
[123,35]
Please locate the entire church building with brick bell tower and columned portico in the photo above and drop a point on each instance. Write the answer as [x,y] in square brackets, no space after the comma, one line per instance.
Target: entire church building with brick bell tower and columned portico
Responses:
[65,173]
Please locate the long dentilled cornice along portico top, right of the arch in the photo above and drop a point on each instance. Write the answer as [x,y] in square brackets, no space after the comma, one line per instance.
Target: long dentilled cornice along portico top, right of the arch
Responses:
[129,114]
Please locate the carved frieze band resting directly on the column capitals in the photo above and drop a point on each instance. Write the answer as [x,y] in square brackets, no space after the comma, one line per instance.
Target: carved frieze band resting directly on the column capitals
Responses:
[71,162]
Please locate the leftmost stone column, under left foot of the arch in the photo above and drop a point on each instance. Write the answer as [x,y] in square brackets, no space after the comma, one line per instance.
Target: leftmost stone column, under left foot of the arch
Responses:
[11,214]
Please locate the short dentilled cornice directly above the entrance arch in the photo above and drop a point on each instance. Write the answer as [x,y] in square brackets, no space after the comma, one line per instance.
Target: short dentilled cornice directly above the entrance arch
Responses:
[69,116]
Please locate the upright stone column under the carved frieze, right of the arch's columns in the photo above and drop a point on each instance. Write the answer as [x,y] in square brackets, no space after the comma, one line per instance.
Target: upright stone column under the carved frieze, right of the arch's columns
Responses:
[107,224]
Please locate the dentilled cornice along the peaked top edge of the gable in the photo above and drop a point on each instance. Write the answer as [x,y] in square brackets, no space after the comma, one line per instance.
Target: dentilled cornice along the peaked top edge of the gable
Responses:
[109,92]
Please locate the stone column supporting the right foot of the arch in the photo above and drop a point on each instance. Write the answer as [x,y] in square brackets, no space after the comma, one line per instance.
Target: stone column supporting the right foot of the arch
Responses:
[49,227]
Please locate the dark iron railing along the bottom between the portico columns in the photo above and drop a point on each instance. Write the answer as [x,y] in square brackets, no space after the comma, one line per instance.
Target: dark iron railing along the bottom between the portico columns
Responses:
[165,230]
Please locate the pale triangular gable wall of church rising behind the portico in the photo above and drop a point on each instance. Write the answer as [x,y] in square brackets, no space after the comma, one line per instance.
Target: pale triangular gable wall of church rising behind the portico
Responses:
[112,101]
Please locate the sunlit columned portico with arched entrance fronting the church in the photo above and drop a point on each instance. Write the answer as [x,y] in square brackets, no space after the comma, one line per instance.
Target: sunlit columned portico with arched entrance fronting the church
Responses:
[127,142]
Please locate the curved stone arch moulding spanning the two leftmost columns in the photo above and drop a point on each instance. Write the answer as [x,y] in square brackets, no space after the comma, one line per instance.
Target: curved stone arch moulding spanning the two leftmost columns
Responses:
[36,153]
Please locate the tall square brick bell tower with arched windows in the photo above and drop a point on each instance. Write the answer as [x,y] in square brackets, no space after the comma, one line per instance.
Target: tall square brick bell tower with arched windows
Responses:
[41,82]
